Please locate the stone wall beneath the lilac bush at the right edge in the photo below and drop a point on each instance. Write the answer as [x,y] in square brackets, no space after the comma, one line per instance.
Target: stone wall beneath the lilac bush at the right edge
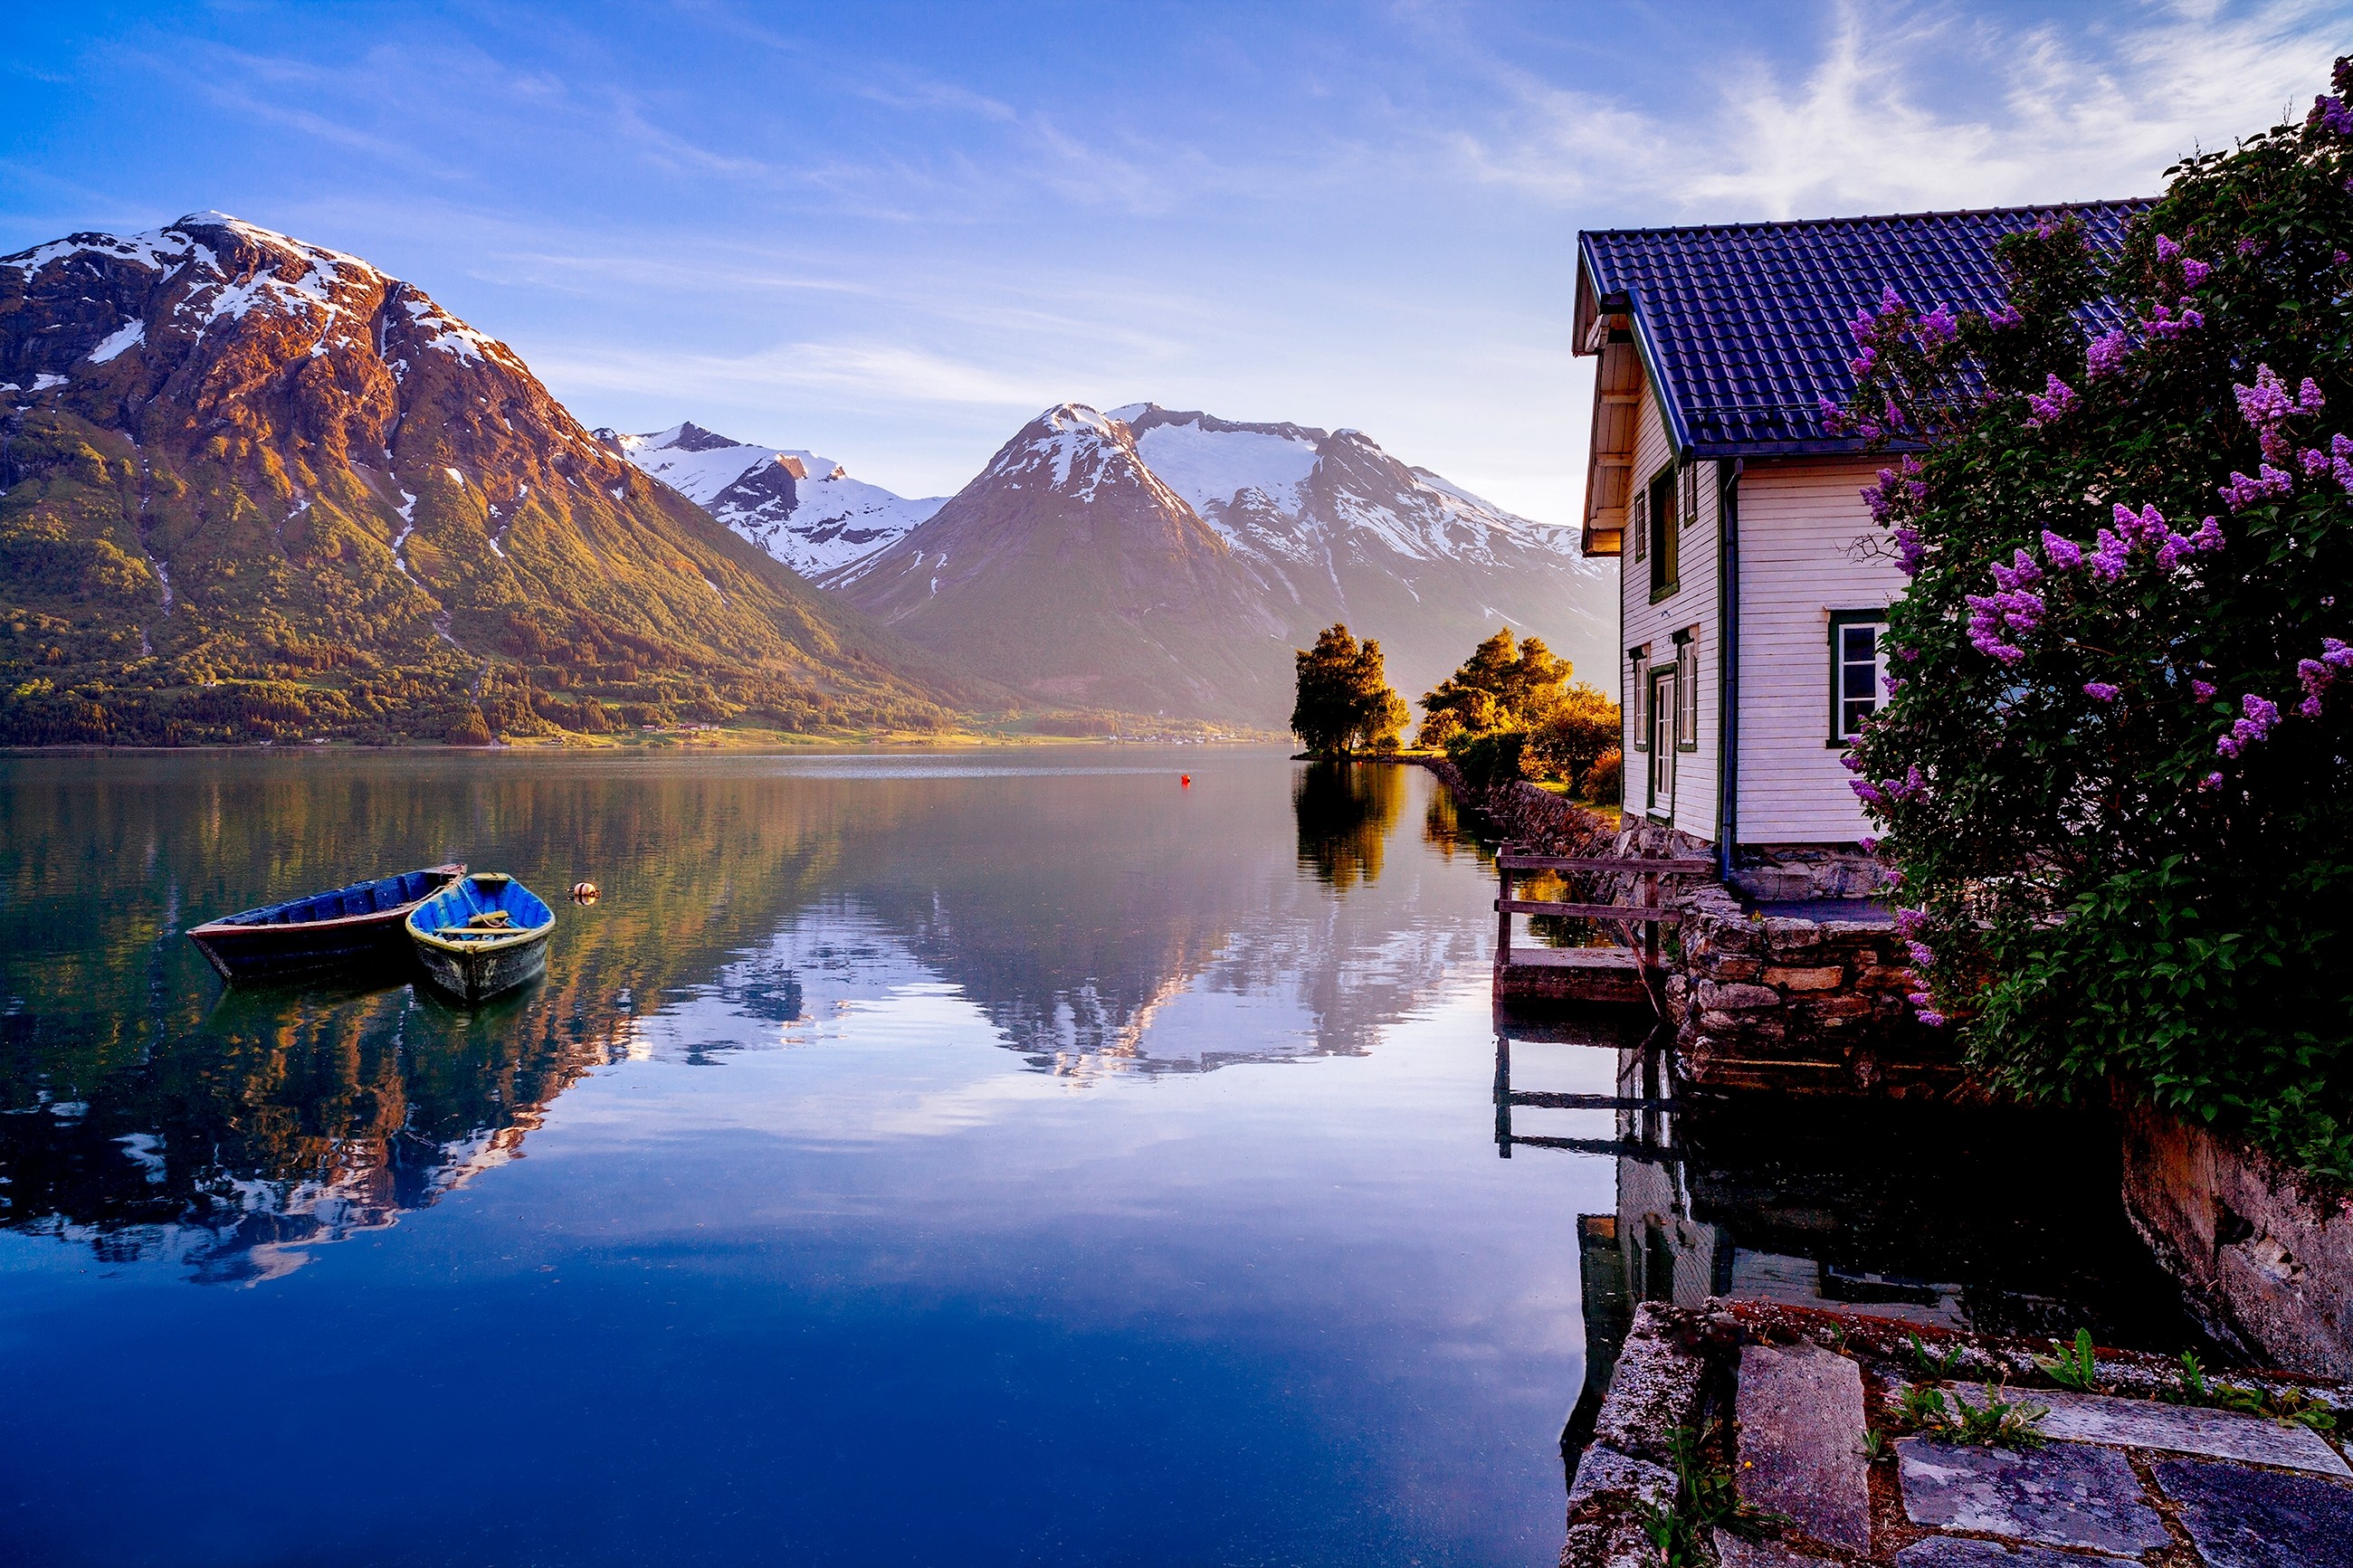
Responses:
[2262,1252]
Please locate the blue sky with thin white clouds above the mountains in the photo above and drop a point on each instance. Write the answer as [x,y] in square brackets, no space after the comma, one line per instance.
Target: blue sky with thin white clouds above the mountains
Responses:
[893,234]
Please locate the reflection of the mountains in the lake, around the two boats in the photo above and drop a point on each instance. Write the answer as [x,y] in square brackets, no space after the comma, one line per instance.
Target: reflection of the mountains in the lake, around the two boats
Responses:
[1098,920]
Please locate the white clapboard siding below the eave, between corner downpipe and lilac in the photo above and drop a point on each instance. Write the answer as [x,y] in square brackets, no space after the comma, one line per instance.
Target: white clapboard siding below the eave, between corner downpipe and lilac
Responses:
[1804,554]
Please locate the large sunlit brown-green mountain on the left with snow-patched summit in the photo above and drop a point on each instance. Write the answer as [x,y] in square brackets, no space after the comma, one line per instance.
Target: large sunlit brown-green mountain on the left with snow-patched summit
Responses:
[253,488]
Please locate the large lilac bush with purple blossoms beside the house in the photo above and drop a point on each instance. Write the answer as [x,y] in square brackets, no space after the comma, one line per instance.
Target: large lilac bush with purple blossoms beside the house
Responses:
[2114,758]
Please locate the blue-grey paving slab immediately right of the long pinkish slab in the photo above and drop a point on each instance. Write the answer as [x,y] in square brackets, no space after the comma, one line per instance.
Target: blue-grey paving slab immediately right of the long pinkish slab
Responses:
[2062,1496]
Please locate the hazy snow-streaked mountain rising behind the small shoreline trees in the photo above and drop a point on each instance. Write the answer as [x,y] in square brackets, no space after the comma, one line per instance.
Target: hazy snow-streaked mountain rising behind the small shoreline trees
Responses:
[1171,563]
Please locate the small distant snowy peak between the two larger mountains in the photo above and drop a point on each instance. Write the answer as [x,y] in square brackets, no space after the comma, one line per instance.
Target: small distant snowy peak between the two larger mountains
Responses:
[799,507]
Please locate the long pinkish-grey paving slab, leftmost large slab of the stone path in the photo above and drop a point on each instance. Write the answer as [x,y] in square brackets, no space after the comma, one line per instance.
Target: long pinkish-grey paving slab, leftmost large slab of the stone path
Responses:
[1801,1442]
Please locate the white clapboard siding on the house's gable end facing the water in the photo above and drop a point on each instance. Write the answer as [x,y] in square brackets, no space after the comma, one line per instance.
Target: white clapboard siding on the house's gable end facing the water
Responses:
[1693,605]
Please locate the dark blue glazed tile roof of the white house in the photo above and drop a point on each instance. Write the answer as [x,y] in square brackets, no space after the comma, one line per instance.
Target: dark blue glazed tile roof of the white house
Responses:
[1745,326]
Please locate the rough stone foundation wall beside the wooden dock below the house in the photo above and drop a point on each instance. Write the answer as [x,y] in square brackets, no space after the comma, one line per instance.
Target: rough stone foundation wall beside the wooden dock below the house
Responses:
[1799,1005]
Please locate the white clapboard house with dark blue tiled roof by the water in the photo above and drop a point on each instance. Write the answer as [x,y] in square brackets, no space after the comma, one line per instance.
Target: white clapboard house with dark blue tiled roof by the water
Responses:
[1754,584]
